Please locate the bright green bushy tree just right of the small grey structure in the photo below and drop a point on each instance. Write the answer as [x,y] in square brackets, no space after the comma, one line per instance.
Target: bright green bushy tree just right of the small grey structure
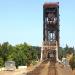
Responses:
[22,54]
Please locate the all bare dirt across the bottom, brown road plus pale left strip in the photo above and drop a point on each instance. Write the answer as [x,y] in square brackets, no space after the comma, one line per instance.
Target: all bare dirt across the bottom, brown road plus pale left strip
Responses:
[45,68]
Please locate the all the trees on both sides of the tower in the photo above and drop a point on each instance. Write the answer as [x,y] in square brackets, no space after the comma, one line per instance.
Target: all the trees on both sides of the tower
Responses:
[24,54]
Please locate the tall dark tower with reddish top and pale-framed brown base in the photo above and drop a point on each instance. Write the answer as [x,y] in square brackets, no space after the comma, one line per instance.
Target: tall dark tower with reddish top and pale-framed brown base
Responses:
[50,31]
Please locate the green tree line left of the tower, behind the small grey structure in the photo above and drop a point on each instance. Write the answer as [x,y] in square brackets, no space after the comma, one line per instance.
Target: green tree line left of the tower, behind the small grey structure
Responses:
[22,54]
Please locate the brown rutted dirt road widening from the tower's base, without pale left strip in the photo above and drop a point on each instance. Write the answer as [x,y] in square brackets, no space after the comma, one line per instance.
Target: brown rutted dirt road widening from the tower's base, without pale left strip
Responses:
[48,68]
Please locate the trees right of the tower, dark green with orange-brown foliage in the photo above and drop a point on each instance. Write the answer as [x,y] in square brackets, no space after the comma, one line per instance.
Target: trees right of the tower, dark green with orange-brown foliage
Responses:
[69,53]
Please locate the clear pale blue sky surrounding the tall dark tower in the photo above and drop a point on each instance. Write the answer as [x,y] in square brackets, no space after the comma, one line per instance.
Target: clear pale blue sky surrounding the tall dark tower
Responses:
[22,21]
